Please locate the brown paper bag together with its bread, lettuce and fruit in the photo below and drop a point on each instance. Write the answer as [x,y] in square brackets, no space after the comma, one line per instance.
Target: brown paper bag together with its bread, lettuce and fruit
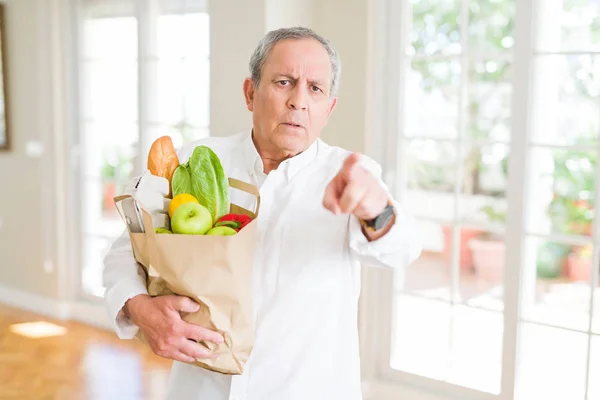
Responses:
[199,245]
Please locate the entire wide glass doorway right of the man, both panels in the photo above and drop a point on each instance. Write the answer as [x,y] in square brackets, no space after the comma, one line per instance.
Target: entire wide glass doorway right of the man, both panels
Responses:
[454,319]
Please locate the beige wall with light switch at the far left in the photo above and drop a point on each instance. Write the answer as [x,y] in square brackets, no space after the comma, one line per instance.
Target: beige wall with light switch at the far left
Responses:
[30,231]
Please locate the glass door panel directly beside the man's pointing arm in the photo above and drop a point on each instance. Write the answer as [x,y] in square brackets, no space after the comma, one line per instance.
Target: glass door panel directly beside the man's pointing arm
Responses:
[454,146]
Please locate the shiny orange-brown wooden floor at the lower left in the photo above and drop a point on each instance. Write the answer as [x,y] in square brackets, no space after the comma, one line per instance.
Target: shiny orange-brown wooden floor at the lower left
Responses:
[83,363]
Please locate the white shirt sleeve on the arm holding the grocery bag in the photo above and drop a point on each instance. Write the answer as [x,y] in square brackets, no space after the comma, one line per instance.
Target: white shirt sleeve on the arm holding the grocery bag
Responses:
[123,279]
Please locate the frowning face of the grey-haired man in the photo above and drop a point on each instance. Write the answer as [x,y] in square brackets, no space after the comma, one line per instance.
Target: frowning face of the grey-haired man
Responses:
[292,103]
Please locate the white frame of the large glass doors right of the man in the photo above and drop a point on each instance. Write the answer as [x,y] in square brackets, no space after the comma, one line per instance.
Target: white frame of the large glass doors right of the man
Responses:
[389,66]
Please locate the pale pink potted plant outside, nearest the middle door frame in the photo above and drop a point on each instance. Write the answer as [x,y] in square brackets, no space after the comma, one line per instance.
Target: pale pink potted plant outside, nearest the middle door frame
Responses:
[488,249]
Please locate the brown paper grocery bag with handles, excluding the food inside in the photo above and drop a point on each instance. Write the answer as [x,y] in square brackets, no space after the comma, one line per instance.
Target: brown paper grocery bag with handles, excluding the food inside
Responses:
[216,272]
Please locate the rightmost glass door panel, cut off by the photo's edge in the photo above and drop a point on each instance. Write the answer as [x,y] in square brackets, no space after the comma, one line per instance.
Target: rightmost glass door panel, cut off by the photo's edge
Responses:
[560,321]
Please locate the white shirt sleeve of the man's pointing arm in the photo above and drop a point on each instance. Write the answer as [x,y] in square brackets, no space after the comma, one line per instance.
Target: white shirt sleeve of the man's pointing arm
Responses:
[400,246]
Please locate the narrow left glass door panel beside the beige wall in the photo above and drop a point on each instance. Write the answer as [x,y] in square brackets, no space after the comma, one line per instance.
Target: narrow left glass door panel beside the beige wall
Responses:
[109,128]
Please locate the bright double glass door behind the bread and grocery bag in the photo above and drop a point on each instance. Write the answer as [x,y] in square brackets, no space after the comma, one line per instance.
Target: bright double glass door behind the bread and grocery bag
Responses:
[144,73]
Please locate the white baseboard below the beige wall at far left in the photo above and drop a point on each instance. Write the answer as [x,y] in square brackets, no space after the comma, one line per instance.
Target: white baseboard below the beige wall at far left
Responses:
[35,303]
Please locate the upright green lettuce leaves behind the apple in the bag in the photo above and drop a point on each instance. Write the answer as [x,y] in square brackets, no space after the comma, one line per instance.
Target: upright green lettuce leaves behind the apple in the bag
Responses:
[204,178]
